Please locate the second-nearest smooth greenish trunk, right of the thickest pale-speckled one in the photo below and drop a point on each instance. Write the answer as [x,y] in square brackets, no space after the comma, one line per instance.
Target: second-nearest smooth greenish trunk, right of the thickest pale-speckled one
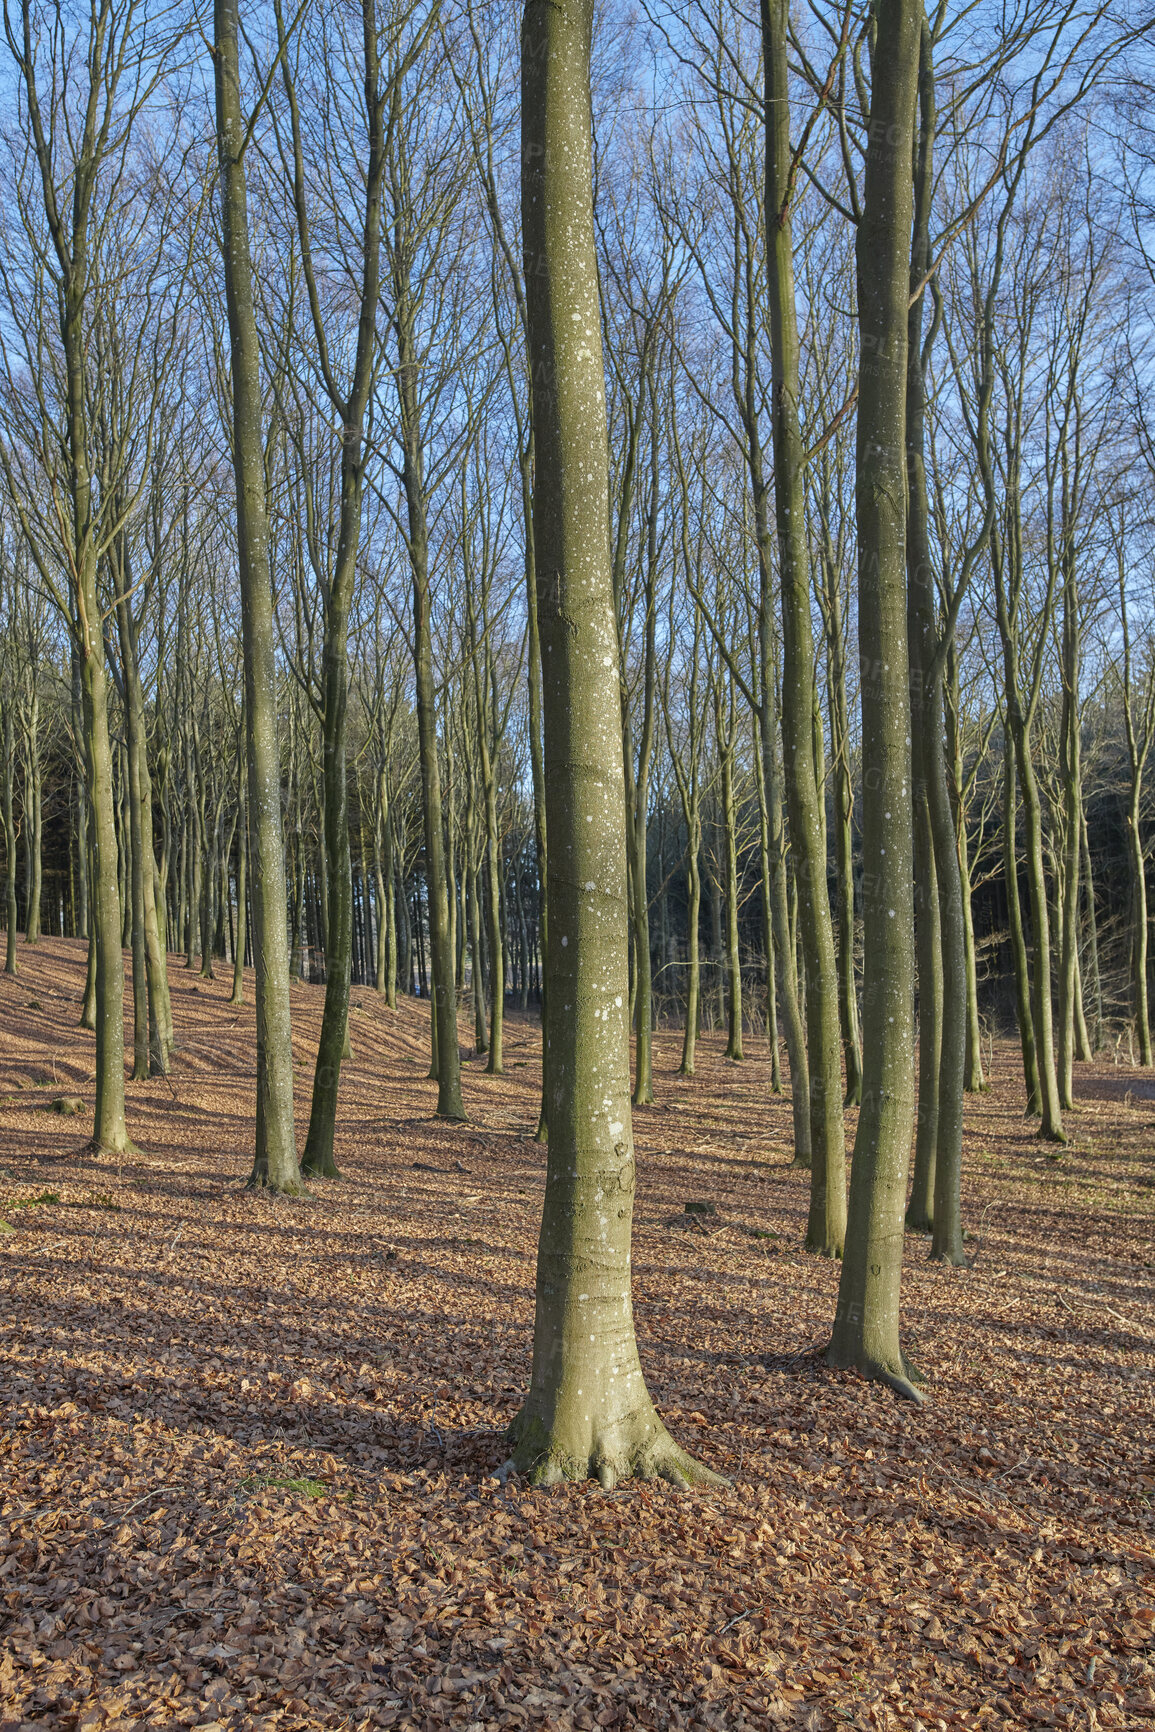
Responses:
[867,1322]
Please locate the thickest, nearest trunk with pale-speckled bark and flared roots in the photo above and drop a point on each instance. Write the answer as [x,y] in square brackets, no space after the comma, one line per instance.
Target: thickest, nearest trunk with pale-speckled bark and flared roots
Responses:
[588,1411]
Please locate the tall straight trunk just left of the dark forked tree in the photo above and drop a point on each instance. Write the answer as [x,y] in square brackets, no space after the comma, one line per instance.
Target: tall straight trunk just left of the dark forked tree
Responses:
[274,1161]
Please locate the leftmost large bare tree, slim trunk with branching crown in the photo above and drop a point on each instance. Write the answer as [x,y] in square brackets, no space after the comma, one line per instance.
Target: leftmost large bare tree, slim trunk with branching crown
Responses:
[77,195]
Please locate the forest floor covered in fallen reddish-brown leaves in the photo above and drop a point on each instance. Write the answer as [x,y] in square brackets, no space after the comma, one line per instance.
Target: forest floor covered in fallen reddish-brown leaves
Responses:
[250,1449]
